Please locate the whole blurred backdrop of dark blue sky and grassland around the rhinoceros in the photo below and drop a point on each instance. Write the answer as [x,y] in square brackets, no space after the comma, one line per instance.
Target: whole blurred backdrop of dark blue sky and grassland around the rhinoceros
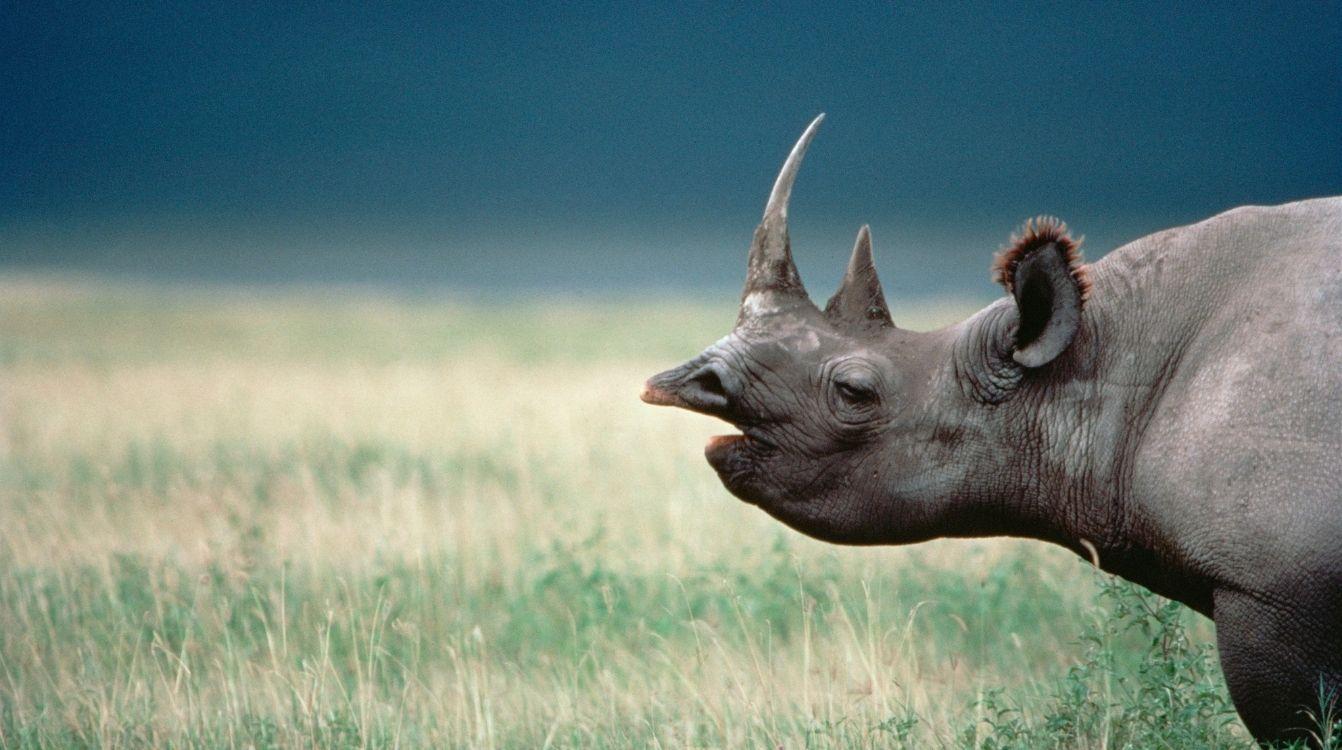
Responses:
[323,329]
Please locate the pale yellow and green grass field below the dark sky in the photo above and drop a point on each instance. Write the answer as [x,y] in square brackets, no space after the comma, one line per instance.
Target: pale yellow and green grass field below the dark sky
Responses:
[332,520]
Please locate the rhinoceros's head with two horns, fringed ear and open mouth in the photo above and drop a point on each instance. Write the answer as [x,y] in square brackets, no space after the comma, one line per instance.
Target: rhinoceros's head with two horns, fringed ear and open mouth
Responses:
[851,429]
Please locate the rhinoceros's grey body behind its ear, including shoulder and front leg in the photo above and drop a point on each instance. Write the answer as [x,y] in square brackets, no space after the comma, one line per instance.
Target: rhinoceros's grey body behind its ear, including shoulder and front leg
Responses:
[1233,502]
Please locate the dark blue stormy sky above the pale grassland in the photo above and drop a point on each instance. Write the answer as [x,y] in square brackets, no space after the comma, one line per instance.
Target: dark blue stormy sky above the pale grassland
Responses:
[584,146]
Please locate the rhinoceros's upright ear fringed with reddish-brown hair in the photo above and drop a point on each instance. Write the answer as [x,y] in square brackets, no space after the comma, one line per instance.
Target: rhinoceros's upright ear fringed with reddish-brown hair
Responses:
[1045,273]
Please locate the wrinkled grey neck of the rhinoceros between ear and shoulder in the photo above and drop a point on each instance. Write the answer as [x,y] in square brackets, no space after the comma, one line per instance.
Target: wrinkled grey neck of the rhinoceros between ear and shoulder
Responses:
[1072,433]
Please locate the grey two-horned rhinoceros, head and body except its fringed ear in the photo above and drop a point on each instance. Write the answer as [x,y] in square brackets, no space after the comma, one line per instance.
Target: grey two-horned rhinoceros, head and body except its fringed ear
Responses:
[1187,423]
